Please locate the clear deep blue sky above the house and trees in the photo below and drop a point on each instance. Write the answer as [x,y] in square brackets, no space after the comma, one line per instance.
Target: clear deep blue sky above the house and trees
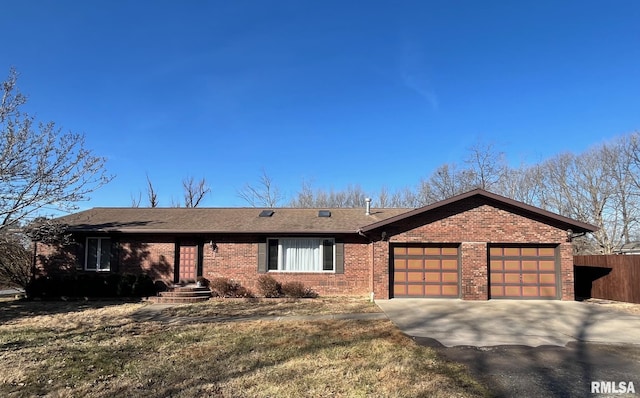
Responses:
[374,93]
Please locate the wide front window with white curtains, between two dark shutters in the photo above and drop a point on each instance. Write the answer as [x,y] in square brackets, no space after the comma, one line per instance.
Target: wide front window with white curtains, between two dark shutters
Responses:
[301,254]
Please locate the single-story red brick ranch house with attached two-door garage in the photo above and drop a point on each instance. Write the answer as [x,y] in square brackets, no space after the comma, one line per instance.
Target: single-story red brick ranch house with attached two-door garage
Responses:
[474,246]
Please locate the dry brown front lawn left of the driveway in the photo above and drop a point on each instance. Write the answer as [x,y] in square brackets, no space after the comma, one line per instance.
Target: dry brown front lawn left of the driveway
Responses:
[58,349]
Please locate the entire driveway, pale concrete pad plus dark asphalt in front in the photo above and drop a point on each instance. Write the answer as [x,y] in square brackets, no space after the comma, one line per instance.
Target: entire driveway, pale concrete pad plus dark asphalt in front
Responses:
[527,348]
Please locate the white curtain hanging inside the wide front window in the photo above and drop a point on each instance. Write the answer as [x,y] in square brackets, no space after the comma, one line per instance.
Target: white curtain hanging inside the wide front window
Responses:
[300,254]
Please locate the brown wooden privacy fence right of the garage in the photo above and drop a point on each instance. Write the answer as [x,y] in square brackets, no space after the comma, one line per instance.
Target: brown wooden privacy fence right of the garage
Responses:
[611,277]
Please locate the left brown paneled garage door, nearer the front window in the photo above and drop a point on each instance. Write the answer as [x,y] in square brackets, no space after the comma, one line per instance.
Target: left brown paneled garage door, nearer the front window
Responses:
[425,271]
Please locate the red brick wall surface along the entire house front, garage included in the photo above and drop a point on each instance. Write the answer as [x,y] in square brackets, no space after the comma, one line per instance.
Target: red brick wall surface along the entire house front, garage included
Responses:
[473,224]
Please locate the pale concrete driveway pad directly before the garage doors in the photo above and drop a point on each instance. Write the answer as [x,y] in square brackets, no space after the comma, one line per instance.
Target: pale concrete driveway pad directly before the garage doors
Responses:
[530,323]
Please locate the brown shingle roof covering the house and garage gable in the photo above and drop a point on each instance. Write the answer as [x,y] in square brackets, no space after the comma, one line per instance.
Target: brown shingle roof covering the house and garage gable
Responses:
[283,220]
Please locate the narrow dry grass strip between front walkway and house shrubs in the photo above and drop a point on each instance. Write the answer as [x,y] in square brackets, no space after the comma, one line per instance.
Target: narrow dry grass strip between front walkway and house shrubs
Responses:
[275,307]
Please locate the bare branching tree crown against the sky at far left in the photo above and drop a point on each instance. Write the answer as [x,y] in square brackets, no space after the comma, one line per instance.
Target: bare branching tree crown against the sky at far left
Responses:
[41,168]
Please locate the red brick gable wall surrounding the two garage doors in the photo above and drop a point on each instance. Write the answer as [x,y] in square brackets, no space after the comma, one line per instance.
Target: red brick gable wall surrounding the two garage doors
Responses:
[475,223]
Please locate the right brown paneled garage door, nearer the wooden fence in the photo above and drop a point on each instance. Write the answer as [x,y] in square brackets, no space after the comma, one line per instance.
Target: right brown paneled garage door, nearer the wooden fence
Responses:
[523,272]
